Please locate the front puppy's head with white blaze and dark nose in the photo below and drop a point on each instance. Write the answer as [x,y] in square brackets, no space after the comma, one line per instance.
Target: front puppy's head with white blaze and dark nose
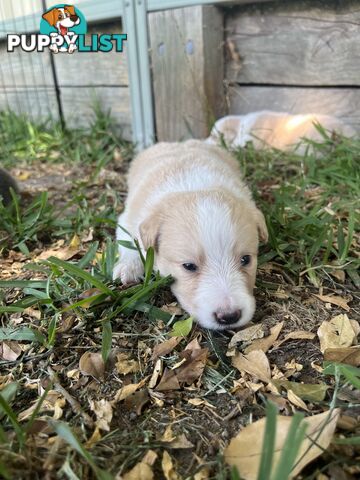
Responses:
[208,242]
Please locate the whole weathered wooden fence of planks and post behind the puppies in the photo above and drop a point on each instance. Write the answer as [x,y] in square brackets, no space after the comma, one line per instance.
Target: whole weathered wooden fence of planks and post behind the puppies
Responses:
[206,61]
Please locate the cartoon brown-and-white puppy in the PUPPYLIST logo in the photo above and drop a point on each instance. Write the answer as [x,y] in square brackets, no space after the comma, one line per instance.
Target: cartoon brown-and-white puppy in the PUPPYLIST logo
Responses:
[62,19]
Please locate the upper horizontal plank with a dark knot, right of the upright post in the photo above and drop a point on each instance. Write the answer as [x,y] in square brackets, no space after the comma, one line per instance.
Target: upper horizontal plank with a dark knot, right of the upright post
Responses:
[297,43]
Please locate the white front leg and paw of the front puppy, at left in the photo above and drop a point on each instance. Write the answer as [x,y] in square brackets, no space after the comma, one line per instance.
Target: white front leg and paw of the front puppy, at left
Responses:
[129,267]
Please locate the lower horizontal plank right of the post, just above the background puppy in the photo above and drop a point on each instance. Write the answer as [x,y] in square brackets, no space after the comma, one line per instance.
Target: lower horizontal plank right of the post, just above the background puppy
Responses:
[341,102]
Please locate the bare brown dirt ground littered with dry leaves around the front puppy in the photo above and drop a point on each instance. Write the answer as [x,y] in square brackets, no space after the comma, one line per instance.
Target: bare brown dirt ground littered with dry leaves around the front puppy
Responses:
[193,423]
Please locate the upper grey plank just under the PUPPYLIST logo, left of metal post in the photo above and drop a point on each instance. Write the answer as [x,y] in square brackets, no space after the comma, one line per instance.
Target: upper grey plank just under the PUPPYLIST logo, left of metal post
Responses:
[93,68]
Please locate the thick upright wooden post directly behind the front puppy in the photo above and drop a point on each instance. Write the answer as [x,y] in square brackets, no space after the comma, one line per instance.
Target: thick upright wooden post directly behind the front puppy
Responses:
[185,78]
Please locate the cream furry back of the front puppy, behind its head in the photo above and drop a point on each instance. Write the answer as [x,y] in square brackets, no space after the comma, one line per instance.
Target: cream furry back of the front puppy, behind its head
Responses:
[182,167]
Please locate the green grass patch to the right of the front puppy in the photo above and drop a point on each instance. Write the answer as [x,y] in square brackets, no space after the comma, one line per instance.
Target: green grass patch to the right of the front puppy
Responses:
[316,195]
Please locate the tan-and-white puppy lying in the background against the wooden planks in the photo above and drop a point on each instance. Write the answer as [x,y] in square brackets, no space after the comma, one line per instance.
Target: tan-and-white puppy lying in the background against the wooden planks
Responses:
[279,130]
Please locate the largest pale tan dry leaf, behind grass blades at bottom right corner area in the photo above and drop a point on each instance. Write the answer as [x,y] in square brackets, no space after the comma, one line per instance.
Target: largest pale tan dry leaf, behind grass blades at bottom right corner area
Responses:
[244,450]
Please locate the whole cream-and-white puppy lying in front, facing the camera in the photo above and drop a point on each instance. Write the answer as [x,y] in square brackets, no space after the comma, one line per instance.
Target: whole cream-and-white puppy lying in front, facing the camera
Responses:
[188,201]
